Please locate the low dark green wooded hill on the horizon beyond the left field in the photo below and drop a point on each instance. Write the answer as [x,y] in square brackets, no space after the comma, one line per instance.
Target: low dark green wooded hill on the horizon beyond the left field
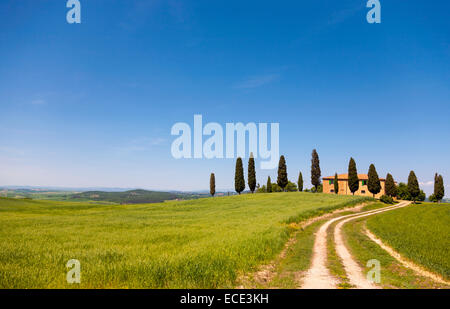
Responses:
[127,197]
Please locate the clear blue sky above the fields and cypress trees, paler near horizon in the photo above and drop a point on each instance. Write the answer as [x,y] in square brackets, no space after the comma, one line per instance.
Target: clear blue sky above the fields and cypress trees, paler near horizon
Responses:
[92,104]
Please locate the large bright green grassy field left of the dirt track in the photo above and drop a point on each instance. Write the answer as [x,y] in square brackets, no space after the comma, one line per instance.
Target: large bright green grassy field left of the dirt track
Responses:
[203,243]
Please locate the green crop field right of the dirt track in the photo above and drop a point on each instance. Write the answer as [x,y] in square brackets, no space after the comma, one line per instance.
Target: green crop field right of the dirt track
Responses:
[419,232]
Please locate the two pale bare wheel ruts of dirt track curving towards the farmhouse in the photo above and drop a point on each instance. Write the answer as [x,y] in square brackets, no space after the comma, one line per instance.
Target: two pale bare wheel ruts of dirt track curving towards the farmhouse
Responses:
[318,276]
